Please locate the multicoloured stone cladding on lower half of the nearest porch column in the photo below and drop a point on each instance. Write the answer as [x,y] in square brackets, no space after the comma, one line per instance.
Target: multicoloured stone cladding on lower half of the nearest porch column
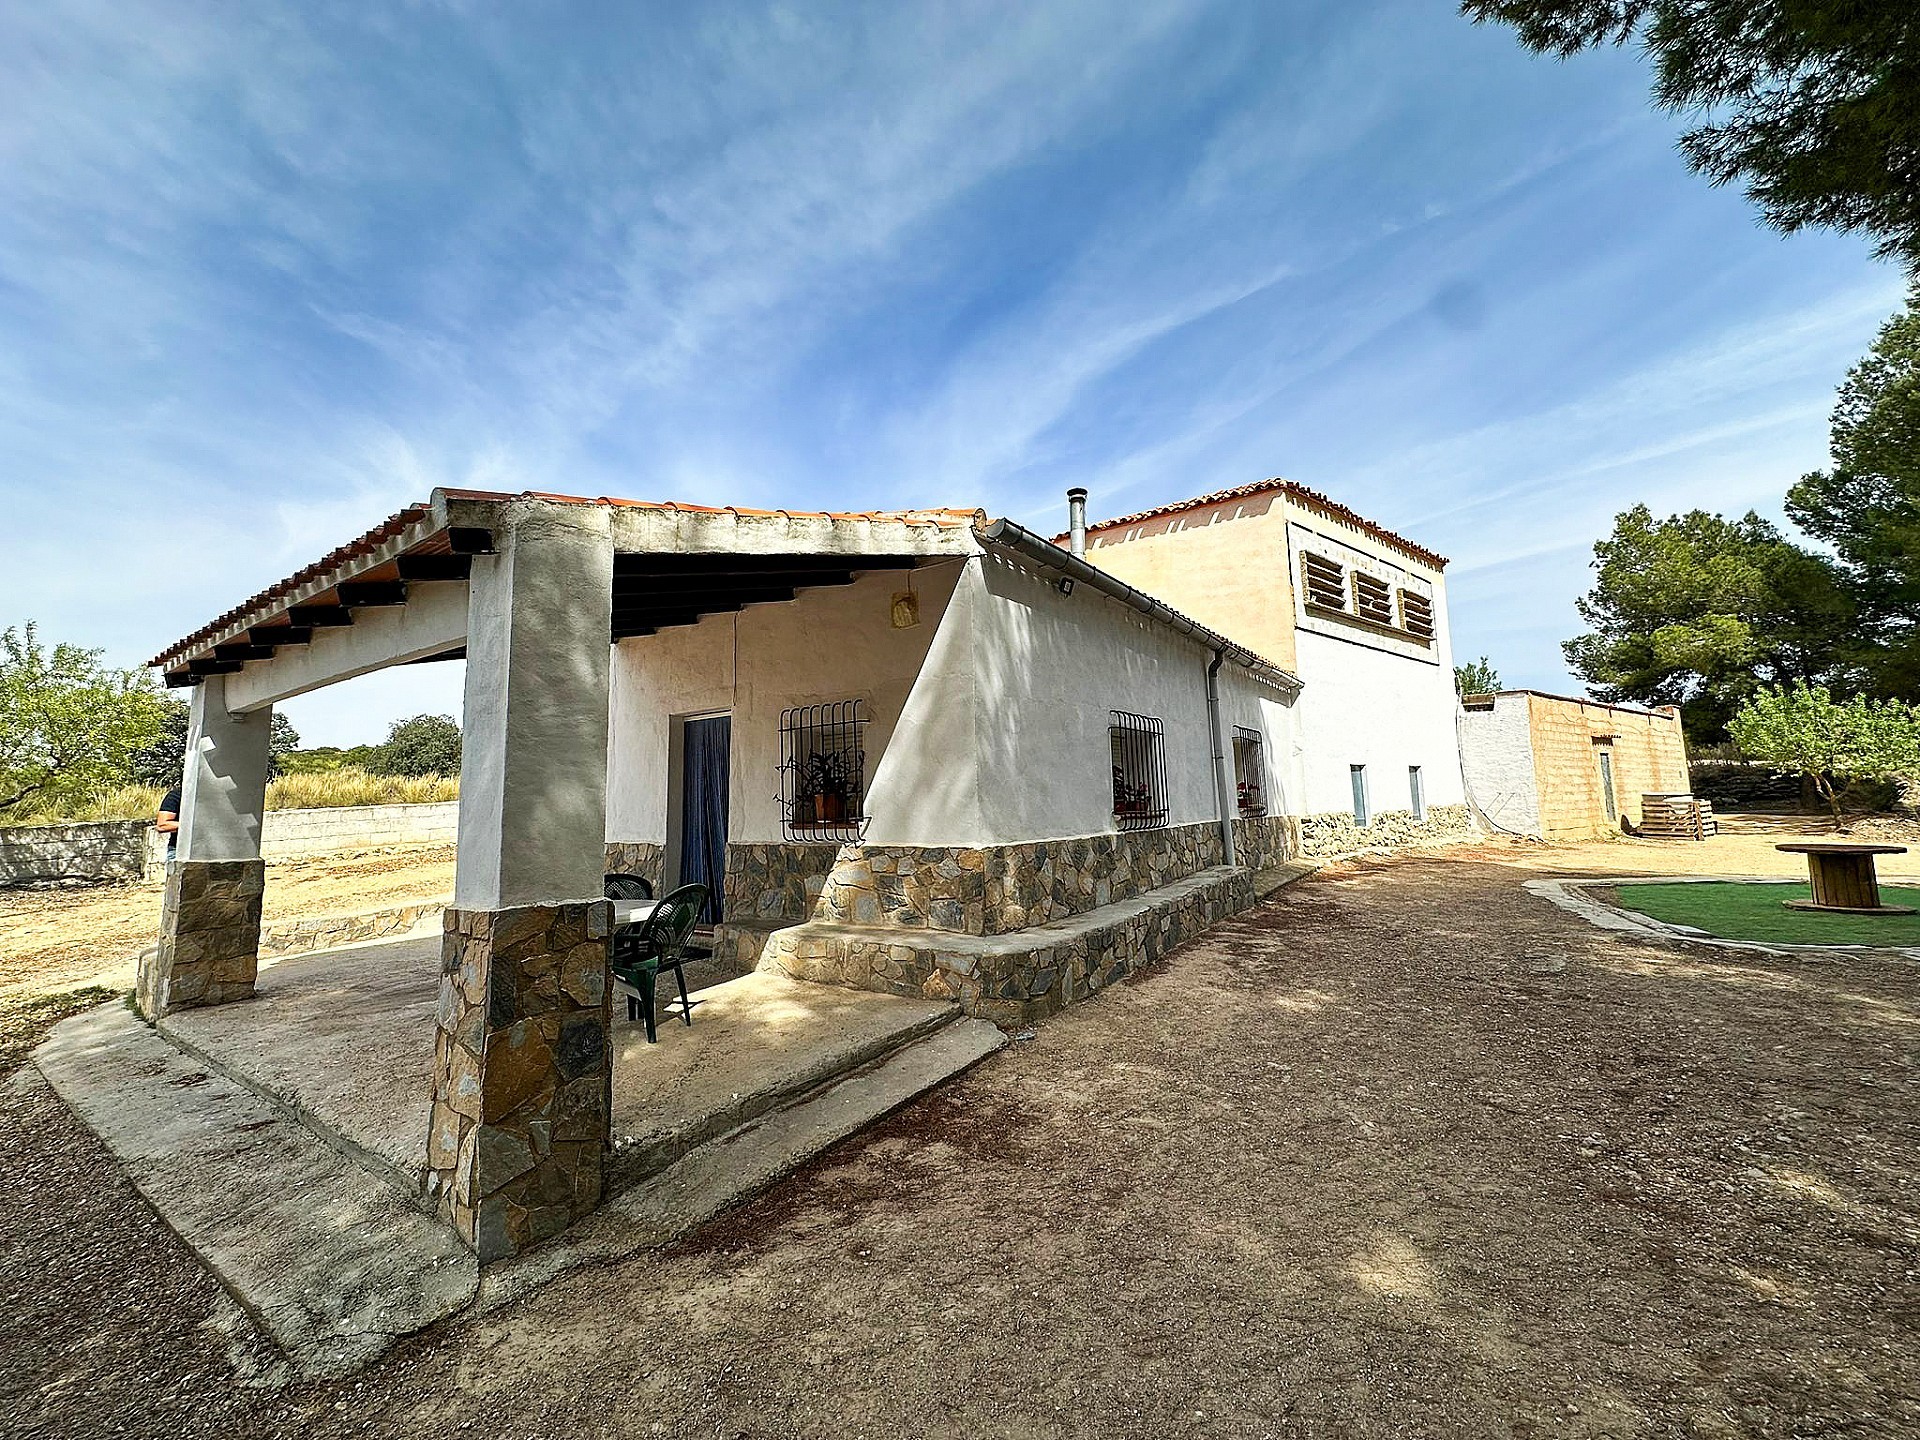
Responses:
[523,1074]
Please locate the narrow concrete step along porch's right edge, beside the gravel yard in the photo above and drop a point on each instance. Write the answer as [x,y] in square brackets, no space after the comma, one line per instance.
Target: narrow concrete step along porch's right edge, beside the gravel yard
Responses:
[738,1166]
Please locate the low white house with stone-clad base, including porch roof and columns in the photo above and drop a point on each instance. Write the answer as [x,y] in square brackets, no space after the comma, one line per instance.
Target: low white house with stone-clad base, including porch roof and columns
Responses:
[924,754]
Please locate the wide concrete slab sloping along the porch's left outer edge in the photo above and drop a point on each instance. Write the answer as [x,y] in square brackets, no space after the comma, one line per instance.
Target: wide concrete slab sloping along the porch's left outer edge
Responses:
[329,1259]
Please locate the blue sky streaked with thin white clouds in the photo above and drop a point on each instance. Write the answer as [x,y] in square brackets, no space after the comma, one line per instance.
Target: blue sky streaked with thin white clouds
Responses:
[272,272]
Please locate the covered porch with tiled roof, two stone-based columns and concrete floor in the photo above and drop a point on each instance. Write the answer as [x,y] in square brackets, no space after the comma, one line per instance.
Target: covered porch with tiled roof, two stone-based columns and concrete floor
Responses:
[491,1070]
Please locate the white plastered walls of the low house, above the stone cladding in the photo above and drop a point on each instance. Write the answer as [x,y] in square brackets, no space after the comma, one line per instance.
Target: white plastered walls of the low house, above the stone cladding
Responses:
[990,719]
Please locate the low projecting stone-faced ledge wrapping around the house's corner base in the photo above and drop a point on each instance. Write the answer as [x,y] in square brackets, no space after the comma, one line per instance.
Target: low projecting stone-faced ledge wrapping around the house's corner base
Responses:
[1007,978]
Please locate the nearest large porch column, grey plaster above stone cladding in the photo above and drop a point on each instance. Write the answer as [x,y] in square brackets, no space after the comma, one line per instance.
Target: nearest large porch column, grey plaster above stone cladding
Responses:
[523,1074]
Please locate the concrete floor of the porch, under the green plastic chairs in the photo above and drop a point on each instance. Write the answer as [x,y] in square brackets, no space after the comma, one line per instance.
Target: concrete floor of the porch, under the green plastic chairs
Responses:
[345,1040]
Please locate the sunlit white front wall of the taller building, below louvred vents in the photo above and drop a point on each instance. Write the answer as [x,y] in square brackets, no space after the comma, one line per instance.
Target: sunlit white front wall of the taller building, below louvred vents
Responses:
[1372,698]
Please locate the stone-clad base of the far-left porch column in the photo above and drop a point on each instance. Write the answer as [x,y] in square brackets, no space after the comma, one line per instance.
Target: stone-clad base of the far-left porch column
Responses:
[208,936]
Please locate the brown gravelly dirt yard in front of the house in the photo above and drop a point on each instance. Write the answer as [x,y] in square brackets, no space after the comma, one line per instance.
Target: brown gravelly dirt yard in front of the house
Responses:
[1404,1153]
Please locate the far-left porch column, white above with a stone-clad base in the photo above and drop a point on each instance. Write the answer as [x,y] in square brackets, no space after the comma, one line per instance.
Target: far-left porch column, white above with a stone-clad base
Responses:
[210,915]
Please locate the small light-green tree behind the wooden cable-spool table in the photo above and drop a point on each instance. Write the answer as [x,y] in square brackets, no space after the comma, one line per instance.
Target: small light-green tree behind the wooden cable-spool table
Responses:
[1804,731]
